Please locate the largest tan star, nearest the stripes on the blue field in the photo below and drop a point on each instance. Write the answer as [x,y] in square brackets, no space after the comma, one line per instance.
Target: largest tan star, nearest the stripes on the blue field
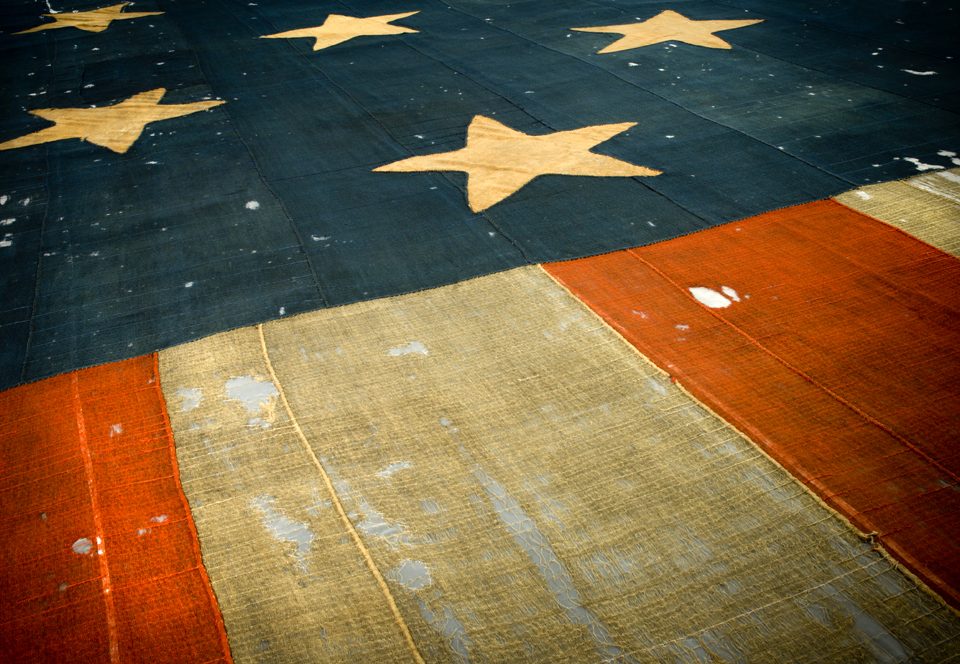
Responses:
[499,161]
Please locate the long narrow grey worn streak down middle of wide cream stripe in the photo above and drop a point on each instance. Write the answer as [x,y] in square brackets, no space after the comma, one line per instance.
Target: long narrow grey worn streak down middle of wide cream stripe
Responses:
[529,538]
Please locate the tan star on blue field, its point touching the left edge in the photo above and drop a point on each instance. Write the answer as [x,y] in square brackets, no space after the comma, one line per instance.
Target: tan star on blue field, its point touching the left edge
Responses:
[114,127]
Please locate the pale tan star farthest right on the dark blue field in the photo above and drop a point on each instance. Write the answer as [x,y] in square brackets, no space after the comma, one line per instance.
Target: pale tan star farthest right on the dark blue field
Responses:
[668,26]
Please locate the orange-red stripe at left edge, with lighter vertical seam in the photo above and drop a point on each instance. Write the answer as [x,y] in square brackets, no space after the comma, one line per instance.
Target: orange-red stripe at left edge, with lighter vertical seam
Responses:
[101,562]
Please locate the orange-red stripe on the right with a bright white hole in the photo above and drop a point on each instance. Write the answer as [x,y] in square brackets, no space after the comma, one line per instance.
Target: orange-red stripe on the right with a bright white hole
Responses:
[841,359]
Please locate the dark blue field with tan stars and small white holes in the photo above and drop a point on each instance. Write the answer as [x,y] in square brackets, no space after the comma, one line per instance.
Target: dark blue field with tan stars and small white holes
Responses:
[169,225]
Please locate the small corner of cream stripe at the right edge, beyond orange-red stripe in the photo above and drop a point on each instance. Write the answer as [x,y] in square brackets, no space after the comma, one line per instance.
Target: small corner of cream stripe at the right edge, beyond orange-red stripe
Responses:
[926,206]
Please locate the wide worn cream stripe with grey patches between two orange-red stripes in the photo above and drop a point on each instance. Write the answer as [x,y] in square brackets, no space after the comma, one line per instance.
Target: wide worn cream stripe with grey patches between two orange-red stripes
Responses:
[527,486]
